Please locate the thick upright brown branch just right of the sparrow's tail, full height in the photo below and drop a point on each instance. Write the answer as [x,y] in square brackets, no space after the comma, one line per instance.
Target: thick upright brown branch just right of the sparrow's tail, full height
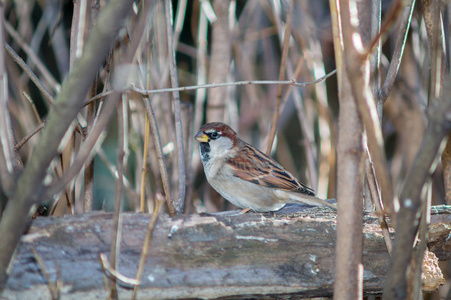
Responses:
[350,158]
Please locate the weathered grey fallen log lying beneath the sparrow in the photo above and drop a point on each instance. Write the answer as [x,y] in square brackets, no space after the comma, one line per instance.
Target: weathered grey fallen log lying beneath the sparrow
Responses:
[226,255]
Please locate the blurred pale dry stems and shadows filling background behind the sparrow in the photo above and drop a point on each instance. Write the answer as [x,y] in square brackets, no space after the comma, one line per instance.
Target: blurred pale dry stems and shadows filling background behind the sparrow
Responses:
[223,41]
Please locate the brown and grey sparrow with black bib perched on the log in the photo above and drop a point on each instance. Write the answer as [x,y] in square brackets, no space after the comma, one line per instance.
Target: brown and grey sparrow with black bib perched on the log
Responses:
[247,177]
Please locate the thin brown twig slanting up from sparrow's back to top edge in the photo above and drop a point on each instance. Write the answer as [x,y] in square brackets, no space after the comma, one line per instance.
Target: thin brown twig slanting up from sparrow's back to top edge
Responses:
[275,118]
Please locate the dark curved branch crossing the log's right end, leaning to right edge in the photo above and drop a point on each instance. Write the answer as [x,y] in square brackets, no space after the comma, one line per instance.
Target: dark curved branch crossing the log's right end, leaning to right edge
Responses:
[410,197]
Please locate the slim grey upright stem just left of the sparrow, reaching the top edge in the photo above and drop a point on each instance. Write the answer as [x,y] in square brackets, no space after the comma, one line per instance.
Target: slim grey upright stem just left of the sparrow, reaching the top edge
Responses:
[177,111]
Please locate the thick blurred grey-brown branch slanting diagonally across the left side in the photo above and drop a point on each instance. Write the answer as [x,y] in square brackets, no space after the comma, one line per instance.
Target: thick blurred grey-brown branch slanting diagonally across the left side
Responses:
[69,103]
